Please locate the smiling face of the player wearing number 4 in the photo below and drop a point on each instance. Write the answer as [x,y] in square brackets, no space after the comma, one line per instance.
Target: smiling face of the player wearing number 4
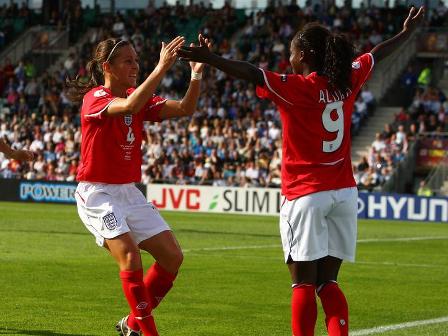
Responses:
[124,67]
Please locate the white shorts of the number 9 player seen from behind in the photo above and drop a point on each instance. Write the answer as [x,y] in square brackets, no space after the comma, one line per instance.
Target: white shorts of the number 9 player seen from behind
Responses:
[319,225]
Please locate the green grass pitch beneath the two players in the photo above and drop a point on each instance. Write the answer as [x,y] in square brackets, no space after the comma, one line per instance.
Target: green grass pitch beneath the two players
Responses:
[55,281]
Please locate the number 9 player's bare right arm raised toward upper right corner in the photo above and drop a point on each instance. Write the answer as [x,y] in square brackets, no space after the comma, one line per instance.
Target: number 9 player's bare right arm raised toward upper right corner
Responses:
[384,49]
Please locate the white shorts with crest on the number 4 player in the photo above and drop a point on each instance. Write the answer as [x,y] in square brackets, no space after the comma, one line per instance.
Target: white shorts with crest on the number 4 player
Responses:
[110,210]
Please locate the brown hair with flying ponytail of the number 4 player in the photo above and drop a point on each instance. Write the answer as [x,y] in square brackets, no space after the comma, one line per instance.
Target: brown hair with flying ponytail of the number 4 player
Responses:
[105,51]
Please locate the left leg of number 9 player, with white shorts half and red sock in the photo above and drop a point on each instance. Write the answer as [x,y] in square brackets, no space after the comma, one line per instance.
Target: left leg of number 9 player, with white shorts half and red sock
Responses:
[304,238]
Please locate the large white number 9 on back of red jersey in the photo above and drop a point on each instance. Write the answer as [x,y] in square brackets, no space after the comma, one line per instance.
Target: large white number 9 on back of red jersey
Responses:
[333,126]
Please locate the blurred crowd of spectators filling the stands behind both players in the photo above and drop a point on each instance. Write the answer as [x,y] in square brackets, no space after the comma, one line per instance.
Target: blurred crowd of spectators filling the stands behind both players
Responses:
[234,138]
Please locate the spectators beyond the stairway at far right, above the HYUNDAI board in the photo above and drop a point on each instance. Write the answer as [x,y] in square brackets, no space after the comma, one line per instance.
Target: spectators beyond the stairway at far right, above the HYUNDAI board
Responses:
[425,113]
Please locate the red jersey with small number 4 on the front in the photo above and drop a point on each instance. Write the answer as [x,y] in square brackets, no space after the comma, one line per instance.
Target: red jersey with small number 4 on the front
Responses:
[111,146]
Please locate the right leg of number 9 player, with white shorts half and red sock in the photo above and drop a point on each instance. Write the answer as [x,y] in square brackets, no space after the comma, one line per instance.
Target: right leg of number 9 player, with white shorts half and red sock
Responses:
[342,231]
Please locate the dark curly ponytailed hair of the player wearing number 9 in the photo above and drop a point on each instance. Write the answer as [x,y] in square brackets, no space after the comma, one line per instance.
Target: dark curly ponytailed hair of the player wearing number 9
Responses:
[328,54]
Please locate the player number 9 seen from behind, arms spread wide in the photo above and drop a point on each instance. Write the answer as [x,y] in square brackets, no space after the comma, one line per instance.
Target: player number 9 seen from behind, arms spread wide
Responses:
[318,217]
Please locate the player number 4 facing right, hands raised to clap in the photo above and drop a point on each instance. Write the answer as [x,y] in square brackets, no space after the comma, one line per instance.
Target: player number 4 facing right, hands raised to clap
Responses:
[109,204]
